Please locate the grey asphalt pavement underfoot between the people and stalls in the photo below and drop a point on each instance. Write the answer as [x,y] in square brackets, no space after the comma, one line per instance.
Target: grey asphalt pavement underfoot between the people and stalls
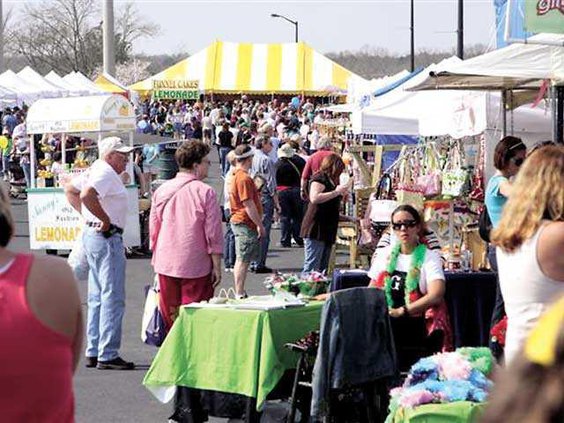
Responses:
[119,396]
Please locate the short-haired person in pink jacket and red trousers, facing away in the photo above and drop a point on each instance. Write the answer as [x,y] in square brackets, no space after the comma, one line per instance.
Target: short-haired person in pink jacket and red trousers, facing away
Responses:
[185,233]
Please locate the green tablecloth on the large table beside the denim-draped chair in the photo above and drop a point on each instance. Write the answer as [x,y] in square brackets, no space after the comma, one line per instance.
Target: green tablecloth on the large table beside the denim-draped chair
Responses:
[230,350]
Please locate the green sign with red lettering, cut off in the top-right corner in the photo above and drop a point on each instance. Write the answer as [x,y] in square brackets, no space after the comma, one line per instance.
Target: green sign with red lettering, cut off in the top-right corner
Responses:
[544,16]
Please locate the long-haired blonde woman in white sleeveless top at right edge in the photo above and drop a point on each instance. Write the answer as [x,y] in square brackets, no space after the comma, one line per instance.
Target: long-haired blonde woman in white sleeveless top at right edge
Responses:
[530,244]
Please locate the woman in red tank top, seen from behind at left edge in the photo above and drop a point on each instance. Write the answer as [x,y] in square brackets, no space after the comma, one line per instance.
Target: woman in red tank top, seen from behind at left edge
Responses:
[41,332]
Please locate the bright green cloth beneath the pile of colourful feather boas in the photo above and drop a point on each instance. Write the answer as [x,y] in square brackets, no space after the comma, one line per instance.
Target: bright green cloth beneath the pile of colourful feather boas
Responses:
[455,412]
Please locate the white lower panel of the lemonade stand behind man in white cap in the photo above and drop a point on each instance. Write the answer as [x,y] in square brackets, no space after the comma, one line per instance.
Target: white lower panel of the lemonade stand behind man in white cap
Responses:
[55,225]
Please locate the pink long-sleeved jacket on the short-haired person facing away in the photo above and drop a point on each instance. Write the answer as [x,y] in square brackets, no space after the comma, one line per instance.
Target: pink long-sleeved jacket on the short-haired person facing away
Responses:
[185,227]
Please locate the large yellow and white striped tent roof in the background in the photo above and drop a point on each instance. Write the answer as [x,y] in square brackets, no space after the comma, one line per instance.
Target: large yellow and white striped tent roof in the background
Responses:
[233,68]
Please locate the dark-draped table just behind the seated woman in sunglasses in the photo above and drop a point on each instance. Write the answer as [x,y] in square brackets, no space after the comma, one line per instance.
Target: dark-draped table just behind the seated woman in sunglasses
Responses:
[470,298]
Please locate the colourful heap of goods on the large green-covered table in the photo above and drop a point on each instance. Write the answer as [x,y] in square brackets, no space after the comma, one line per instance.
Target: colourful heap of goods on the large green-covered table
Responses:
[305,285]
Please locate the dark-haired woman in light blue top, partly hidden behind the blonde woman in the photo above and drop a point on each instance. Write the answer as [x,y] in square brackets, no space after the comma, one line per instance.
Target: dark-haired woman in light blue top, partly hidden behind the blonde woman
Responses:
[509,155]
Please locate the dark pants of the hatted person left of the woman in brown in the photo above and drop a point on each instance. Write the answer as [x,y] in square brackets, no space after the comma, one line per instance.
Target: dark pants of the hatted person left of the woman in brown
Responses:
[291,215]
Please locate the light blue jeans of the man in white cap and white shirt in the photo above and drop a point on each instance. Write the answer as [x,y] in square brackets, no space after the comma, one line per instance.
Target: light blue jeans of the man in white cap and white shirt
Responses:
[106,293]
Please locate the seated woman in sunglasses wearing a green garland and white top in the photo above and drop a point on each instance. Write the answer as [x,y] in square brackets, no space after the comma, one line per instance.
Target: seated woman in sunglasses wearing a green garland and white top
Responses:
[412,278]
